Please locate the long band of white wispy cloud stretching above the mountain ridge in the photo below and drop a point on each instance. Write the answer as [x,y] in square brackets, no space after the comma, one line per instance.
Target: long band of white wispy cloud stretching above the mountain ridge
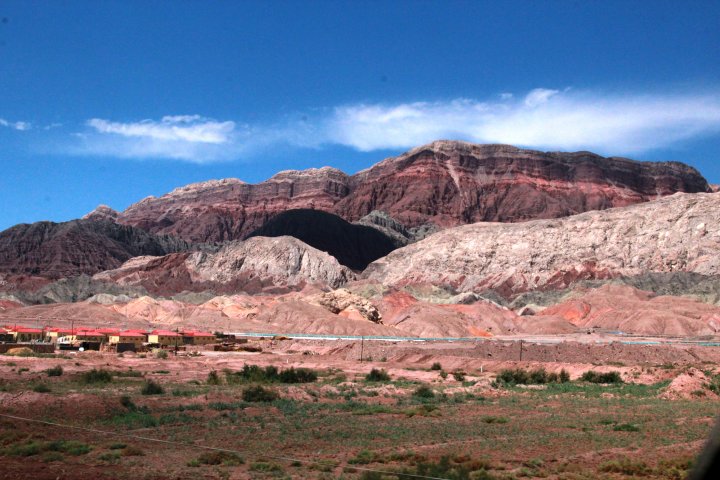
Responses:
[542,118]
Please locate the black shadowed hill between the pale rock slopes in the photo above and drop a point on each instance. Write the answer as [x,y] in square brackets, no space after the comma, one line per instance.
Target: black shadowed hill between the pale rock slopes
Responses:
[355,246]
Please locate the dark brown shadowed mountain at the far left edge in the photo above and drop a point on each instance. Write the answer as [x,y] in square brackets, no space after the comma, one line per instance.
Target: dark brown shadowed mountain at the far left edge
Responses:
[58,250]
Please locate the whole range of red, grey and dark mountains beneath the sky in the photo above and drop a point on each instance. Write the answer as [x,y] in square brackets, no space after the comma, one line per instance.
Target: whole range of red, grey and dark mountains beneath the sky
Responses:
[443,233]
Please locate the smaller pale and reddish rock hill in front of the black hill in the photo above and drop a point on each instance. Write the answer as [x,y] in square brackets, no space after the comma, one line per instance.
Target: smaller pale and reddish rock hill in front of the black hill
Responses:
[259,264]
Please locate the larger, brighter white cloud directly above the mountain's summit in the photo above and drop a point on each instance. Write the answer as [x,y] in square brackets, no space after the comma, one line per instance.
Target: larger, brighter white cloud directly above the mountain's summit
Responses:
[544,118]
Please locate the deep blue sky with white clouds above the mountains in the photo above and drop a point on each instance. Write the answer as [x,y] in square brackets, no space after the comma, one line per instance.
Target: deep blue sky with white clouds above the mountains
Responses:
[109,102]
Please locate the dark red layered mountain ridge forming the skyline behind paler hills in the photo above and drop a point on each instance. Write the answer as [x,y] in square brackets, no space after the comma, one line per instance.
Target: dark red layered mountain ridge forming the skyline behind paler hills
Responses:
[442,184]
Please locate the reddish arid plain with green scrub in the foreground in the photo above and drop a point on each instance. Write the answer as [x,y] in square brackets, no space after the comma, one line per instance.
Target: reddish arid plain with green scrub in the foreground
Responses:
[446,410]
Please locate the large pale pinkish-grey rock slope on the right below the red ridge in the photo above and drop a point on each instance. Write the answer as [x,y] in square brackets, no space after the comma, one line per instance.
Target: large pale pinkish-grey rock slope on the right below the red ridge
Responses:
[674,234]
